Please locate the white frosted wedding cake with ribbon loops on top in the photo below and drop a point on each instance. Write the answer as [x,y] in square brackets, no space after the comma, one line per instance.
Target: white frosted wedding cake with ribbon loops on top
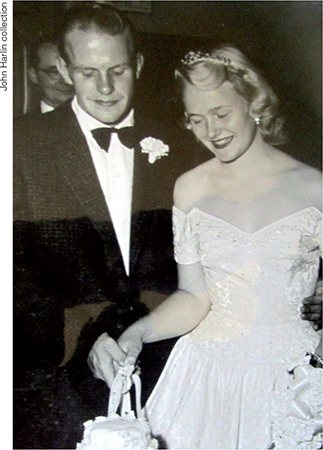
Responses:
[114,432]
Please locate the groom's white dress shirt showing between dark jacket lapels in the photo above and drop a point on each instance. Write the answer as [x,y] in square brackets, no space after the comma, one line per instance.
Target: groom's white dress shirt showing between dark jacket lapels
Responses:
[115,173]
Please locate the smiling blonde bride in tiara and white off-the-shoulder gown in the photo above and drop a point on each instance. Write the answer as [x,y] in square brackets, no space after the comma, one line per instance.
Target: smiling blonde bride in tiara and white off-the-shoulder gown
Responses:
[247,236]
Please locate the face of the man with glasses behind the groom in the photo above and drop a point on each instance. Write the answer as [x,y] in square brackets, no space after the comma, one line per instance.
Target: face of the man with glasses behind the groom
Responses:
[54,90]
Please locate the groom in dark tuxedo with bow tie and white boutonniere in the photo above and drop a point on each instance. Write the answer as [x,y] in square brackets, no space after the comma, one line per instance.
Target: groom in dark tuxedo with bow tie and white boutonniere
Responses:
[92,226]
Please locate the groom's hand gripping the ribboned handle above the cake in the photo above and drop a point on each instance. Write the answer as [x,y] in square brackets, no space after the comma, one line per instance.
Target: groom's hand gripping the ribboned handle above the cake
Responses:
[105,358]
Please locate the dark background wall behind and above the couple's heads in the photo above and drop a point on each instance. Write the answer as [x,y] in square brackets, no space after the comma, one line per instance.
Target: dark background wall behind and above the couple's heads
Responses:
[283,37]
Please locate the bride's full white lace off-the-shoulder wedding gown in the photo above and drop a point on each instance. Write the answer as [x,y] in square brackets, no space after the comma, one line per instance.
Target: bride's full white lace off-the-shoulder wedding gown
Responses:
[227,384]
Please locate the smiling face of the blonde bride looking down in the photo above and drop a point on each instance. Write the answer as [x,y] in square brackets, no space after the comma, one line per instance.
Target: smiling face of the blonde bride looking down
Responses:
[220,120]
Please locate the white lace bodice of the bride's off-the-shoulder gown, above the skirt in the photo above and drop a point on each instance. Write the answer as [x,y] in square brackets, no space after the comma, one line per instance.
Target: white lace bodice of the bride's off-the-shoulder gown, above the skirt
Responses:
[256,281]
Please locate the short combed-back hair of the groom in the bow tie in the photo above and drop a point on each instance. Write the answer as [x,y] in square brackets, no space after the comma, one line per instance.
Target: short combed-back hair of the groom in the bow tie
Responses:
[94,15]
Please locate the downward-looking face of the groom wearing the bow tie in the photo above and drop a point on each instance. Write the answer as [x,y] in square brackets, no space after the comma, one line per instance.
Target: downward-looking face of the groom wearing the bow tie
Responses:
[102,72]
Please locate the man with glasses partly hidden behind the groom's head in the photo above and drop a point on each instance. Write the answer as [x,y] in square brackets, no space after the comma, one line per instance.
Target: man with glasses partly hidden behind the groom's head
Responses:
[43,73]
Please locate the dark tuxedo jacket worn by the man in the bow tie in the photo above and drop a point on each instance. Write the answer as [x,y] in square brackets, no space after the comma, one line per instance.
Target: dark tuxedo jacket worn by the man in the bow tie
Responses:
[66,251]
